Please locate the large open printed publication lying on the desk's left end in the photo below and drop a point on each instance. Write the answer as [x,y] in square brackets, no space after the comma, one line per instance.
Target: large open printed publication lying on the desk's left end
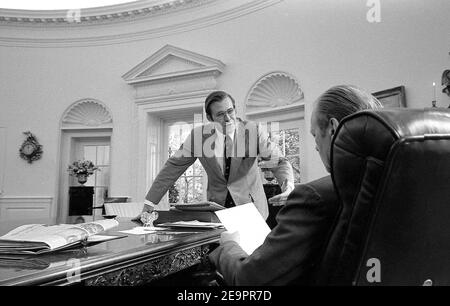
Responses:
[33,239]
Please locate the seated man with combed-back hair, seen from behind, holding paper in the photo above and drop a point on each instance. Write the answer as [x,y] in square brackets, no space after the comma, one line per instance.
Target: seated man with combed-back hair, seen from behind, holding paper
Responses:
[291,250]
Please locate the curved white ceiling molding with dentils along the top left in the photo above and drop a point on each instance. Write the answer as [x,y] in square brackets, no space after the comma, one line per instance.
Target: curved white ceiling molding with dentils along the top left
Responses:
[221,12]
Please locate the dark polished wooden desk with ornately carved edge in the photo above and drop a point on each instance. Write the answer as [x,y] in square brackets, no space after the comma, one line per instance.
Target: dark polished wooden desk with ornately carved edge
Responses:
[129,261]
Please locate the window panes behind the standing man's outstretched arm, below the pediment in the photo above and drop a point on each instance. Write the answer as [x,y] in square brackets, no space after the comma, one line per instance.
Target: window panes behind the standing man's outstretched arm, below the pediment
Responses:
[190,187]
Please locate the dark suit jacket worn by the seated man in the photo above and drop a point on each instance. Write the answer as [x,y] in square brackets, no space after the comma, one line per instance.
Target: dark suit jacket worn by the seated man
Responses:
[292,248]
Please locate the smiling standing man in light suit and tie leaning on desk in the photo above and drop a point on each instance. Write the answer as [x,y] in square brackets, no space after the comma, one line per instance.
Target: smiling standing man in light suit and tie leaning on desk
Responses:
[228,148]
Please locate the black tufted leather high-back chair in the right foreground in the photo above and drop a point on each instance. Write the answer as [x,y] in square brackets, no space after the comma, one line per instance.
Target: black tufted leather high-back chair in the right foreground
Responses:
[391,169]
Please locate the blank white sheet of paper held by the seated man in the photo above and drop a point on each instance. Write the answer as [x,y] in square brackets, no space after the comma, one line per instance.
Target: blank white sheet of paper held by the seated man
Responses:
[246,220]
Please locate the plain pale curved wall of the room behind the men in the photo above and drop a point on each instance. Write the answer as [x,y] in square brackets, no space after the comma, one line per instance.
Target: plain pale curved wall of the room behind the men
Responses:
[321,42]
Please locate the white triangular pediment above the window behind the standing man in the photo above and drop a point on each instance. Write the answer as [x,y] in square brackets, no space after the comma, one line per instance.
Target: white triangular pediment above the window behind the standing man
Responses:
[171,62]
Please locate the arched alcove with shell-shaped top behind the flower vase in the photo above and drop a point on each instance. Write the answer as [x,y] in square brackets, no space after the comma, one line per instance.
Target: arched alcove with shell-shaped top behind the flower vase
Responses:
[86,129]
